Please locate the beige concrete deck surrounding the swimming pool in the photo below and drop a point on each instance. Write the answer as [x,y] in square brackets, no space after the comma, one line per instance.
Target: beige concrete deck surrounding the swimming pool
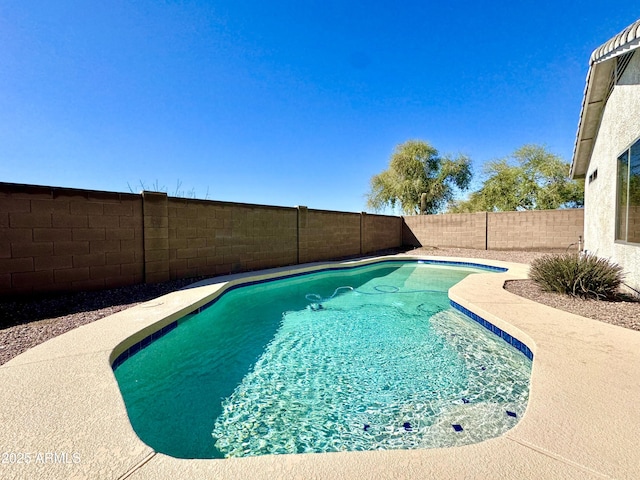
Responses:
[62,415]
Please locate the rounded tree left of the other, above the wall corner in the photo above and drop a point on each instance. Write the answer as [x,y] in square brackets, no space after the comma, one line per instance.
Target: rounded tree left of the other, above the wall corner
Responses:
[415,168]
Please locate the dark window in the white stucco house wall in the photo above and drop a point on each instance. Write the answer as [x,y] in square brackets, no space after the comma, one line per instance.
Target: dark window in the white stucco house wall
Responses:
[628,195]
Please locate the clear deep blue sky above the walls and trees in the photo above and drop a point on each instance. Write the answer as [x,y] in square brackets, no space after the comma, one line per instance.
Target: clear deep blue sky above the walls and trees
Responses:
[284,102]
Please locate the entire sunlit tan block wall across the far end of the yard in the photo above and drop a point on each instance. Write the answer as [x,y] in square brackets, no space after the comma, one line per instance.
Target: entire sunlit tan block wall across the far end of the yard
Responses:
[533,229]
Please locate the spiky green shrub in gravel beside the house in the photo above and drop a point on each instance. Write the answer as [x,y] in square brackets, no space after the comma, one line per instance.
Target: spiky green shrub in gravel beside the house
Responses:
[578,275]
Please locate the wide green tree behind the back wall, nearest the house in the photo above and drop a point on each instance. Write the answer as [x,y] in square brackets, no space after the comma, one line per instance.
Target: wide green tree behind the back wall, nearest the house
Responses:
[530,179]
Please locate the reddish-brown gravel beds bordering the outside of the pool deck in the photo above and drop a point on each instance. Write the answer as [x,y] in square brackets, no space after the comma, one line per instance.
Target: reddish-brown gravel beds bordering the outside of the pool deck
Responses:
[25,323]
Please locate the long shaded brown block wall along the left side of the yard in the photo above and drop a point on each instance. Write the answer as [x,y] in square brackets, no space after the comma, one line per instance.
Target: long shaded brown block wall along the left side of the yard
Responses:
[62,239]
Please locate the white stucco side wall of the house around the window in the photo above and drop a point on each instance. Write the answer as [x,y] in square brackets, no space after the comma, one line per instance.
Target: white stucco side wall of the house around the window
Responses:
[619,128]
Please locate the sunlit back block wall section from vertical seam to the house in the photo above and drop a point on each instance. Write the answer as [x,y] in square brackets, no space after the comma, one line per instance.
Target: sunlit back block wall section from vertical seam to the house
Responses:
[534,229]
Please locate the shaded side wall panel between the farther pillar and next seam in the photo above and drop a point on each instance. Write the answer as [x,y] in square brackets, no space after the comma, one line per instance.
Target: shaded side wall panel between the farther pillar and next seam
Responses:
[323,235]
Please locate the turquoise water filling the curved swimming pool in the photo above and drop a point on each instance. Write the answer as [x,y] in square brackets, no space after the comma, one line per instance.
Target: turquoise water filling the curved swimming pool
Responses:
[360,359]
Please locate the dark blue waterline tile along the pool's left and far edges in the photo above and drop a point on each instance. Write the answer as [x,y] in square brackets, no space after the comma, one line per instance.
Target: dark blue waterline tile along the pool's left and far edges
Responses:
[151,338]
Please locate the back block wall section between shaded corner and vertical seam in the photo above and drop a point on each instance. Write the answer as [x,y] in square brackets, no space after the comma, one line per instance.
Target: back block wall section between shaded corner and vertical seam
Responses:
[462,230]
